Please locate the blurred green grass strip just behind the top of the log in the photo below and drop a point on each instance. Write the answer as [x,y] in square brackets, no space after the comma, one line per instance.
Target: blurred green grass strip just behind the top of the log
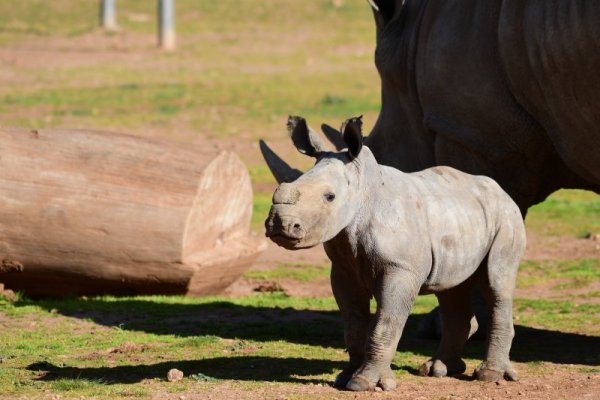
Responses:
[214,106]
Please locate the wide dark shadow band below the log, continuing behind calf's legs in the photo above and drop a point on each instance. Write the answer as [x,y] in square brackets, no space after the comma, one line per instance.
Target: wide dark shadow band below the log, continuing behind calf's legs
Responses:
[311,327]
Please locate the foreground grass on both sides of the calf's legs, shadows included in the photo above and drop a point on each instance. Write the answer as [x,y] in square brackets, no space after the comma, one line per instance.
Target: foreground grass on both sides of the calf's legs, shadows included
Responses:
[107,346]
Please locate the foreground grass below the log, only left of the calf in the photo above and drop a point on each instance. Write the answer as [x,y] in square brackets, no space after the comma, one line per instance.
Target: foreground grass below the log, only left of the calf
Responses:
[78,350]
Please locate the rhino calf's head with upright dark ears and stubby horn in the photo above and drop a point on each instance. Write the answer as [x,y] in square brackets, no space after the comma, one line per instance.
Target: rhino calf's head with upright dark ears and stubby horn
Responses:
[312,208]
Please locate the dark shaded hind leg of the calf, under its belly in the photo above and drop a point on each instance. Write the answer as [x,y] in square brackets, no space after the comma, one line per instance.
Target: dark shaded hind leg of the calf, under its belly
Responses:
[456,316]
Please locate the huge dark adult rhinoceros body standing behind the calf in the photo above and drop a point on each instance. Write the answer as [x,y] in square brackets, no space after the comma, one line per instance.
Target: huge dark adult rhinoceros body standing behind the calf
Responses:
[509,89]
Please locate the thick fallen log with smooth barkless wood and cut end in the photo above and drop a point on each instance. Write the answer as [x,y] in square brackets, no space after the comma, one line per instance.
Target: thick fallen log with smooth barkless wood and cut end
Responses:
[84,212]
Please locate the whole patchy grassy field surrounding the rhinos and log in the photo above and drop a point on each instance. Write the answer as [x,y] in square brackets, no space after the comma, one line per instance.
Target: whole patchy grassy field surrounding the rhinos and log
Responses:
[241,67]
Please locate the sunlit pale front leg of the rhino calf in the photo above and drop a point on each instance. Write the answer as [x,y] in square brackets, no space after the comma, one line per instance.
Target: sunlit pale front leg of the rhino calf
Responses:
[395,294]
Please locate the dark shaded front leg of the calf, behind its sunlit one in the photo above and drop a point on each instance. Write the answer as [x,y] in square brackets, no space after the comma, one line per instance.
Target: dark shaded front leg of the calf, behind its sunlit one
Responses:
[353,300]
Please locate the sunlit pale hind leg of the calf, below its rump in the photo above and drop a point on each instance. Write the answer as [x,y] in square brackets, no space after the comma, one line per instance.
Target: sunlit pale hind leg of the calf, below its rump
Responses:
[498,290]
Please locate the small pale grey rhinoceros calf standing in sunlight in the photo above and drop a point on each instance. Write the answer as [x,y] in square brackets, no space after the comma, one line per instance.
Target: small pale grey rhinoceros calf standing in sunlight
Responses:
[392,236]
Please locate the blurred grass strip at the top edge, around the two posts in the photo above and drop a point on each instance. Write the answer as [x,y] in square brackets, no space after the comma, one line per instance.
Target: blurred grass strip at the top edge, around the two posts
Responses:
[61,18]
